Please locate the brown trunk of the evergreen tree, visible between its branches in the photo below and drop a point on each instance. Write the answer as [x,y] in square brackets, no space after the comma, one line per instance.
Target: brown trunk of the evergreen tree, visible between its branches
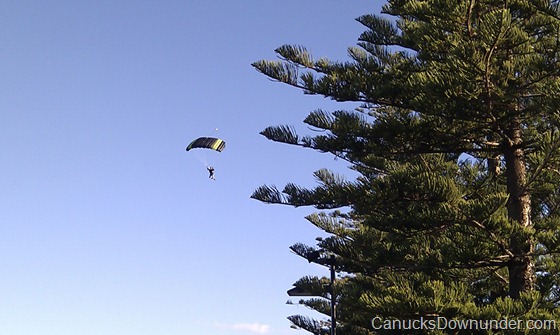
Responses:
[521,272]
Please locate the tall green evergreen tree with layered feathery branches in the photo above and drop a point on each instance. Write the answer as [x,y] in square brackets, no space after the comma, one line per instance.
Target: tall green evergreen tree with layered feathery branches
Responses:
[456,210]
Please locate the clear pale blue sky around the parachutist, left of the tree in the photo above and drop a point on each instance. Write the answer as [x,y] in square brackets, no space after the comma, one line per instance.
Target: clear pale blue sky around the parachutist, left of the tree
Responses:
[107,225]
